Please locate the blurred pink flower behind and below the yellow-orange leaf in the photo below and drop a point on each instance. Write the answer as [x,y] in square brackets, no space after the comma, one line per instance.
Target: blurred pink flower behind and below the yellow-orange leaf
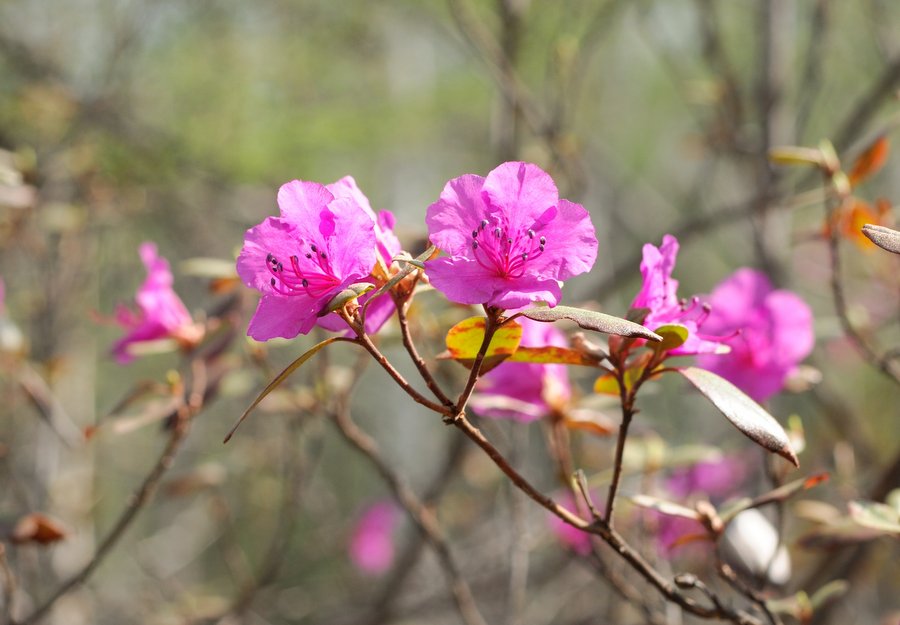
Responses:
[525,391]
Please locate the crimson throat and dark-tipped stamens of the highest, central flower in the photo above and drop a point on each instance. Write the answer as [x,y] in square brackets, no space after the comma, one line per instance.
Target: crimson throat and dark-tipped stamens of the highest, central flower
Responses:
[506,251]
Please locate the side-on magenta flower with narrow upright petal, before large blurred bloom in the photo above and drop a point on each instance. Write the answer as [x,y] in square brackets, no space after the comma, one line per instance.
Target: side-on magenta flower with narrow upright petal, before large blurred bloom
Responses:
[658,294]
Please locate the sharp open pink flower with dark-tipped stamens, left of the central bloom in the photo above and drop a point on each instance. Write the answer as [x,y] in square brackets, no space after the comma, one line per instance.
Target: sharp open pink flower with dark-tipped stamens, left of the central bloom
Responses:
[321,244]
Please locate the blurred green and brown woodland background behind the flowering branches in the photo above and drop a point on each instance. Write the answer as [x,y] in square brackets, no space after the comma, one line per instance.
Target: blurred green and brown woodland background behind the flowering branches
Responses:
[123,121]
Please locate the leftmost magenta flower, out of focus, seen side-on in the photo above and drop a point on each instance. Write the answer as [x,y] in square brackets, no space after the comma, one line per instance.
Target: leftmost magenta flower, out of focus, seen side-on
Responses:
[160,314]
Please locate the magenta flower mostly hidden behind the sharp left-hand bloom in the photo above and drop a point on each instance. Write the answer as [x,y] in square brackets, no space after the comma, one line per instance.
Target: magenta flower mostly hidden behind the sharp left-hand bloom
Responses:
[388,246]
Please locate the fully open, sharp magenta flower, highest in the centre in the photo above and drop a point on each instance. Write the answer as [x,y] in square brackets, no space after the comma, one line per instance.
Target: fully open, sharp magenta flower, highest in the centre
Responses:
[510,240]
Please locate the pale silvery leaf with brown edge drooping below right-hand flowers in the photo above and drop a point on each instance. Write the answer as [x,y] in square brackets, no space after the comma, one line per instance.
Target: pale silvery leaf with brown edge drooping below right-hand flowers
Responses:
[744,413]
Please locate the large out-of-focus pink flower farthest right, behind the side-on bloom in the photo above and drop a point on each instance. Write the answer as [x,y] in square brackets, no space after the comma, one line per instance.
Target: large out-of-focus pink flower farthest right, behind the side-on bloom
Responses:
[771,333]
